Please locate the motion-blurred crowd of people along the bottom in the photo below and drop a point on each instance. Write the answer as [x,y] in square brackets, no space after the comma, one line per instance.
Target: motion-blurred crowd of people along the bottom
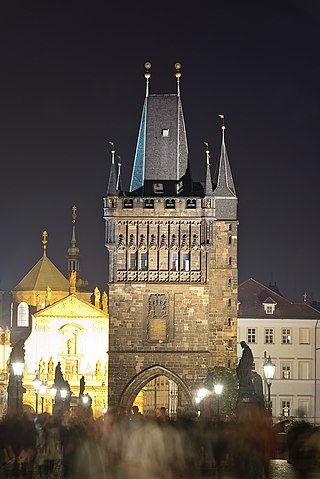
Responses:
[121,446]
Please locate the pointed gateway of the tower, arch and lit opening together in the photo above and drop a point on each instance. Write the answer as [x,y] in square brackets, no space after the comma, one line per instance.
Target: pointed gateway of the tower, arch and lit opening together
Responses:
[157,387]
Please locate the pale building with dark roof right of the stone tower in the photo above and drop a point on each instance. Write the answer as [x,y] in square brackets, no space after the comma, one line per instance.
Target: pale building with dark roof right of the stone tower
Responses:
[288,332]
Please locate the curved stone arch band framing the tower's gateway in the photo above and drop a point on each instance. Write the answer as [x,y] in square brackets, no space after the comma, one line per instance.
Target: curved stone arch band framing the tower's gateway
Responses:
[141,379]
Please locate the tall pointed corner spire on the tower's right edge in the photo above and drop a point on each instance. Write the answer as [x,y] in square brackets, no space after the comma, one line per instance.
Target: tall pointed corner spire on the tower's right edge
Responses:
[223,180]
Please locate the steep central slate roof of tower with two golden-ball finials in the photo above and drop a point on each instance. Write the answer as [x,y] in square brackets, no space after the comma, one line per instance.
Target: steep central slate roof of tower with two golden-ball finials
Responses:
[161,162]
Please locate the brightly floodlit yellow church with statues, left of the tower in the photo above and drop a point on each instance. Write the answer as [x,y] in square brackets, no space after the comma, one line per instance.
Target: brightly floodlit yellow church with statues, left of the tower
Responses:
[60,324]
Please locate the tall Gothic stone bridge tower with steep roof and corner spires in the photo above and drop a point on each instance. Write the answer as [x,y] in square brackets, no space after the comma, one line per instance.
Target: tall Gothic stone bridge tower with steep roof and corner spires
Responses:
[172,247]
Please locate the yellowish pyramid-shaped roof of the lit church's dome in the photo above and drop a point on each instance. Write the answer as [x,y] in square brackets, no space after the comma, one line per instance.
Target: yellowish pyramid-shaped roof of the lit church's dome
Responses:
[43,274]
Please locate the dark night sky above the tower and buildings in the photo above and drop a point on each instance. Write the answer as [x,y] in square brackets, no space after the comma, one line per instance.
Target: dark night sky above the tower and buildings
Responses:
[72,78]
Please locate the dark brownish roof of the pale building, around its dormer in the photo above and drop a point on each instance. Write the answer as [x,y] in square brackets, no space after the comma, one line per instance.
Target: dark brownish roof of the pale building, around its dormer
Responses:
[252,295]
